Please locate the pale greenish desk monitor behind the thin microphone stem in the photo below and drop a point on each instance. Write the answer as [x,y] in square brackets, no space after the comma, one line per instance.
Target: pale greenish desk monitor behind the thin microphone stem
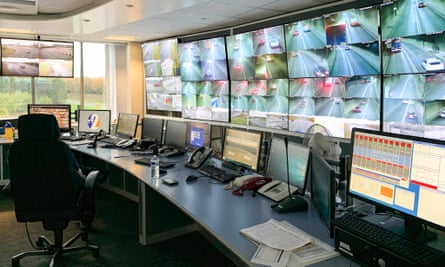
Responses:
[298,162]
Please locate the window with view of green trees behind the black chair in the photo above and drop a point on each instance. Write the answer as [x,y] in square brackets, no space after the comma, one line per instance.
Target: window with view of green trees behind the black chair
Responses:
[16,92]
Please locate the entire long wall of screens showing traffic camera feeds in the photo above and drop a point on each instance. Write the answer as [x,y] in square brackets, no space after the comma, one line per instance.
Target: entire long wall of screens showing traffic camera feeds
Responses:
[336,69]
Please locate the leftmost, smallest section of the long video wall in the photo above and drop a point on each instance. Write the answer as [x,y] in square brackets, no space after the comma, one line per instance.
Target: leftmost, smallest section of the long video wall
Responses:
[162,80]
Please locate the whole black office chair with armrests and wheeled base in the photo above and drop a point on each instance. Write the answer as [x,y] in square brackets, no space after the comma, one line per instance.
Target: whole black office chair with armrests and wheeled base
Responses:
[46,186]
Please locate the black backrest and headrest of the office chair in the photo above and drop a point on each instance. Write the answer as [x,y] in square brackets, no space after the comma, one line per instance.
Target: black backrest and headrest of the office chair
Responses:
[43,176]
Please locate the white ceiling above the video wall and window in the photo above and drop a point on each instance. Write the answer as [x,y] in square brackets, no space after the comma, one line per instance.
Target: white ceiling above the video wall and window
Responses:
[141,20]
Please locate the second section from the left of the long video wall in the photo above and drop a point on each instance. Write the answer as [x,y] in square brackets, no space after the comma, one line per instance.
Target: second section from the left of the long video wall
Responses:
[205,86]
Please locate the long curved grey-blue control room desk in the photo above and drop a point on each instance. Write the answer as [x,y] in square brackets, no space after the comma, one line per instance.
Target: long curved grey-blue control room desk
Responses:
[166,211]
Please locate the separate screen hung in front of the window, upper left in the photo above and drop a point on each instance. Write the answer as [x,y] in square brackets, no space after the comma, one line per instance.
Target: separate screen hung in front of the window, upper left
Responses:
[36,58]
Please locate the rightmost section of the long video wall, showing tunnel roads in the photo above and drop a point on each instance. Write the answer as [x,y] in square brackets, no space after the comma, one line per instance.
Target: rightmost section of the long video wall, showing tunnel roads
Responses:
[413,56]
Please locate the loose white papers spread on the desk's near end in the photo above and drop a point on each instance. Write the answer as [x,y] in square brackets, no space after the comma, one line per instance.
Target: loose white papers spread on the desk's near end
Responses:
[282,244]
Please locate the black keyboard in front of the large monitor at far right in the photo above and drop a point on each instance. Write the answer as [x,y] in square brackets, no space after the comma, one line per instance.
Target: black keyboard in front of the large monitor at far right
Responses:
[418,253]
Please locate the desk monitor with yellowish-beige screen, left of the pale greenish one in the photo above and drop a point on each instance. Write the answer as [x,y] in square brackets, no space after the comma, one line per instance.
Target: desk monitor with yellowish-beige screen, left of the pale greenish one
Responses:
[242,148]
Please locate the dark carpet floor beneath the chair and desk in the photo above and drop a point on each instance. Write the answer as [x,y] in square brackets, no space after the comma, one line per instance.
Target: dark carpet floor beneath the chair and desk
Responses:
[115,231]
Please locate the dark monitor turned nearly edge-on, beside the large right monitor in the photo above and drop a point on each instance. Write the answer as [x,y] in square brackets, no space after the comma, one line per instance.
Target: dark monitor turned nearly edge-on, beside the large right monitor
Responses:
[323,190]
